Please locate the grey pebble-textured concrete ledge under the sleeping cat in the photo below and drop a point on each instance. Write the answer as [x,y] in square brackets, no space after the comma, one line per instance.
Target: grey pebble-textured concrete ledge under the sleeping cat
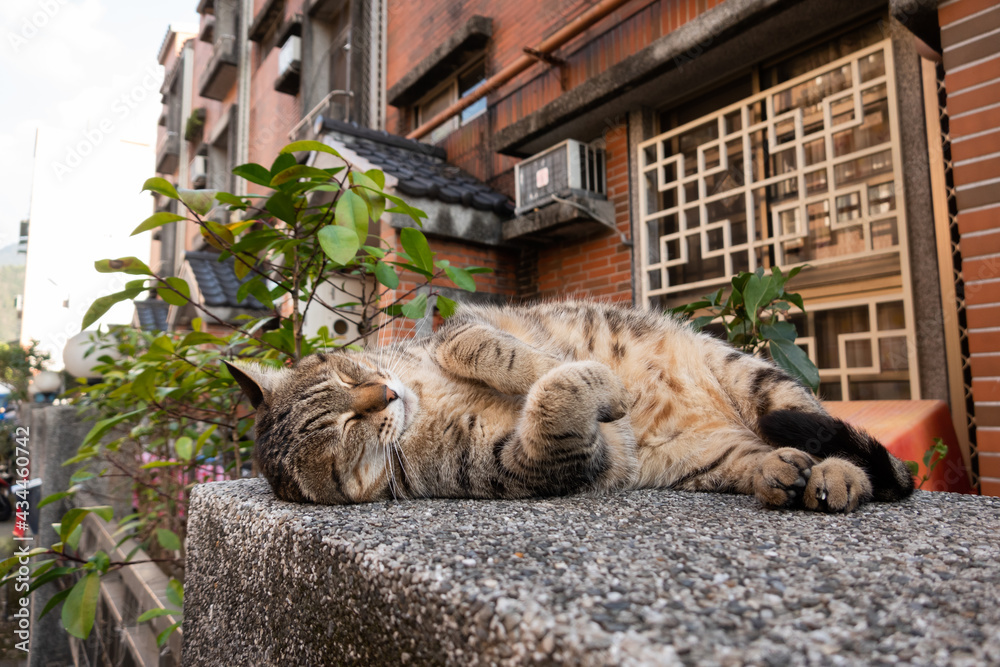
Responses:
[650,577]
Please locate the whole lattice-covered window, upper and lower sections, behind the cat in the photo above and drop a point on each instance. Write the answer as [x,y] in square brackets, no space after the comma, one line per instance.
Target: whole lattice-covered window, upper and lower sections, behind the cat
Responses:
[805,171]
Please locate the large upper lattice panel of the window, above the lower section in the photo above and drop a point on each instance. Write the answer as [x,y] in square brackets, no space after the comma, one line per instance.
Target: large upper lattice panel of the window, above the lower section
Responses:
[806,171]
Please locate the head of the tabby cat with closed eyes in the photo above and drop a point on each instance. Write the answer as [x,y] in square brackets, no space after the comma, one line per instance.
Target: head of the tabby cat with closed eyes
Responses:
[325,429]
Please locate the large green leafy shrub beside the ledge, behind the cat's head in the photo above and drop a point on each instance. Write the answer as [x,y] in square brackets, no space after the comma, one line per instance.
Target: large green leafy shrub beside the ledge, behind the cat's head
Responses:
[166,414]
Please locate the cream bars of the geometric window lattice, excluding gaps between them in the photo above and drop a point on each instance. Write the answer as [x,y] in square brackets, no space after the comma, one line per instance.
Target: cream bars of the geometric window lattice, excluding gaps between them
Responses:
[663,179]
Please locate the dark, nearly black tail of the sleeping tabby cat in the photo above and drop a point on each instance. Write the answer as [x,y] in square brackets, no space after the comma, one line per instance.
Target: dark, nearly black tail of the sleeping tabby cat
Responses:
[823,436]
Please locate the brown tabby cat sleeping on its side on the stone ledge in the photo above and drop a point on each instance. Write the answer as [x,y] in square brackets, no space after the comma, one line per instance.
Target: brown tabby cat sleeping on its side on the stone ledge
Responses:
[554,399]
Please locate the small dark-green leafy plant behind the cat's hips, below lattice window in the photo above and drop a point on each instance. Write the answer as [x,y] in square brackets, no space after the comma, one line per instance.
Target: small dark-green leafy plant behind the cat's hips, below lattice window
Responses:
[755,318]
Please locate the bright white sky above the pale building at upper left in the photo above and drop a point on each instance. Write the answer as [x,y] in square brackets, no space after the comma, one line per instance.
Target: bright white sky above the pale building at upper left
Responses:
[67,61]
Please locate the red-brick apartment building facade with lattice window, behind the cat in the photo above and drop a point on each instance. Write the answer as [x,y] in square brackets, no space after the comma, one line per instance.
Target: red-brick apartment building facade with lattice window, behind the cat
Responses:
[644,151]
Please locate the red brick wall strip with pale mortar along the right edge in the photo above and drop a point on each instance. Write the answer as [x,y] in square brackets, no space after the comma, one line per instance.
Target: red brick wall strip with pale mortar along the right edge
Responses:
[972,77]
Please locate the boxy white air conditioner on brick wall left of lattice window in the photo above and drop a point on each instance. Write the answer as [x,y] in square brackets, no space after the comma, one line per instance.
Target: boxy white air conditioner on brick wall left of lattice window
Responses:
[569,168]
